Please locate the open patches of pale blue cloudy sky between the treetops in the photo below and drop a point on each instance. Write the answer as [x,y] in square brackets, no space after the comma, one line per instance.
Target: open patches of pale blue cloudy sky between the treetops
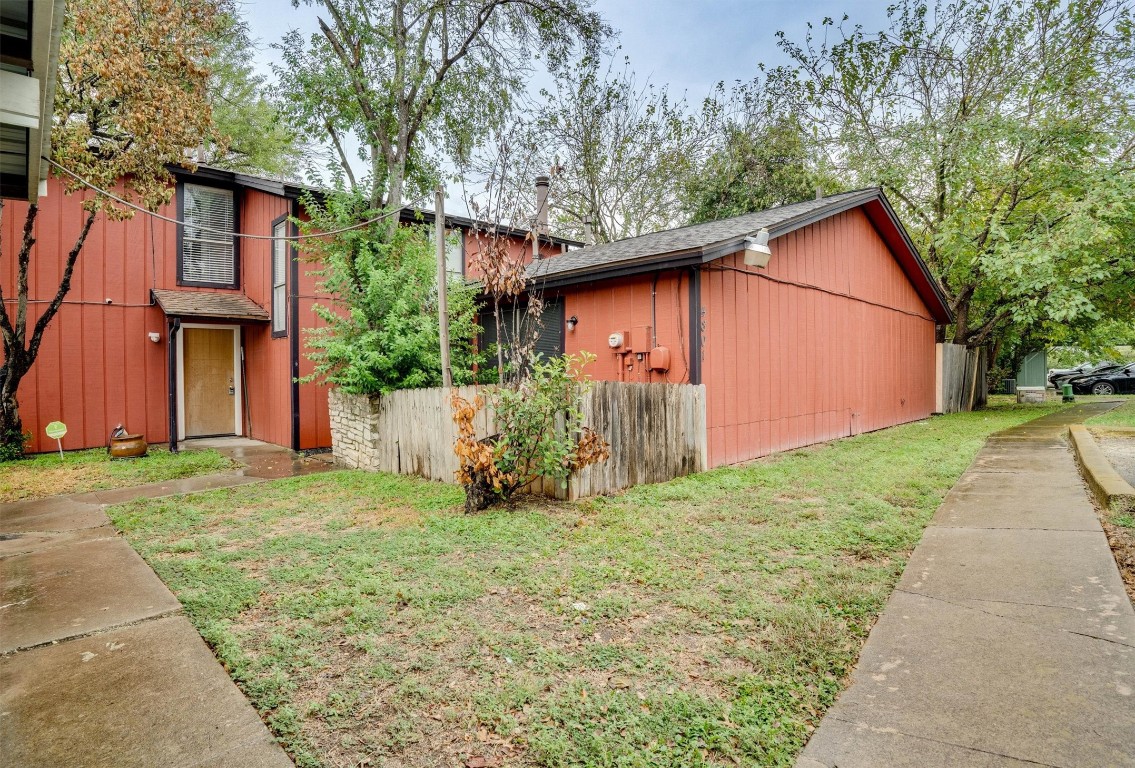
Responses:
[688,46]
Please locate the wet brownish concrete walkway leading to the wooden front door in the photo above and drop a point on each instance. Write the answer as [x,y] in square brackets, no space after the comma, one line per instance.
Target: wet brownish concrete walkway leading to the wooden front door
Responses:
[98,665]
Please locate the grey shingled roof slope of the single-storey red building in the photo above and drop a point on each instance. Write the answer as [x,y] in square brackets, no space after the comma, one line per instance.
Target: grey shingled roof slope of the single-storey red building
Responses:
[694,238]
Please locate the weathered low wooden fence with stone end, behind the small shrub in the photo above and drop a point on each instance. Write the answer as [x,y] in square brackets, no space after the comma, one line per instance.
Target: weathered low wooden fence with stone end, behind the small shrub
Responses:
[658,432]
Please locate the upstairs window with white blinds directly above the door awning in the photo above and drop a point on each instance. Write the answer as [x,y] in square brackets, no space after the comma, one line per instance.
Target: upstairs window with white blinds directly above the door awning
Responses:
[208,257]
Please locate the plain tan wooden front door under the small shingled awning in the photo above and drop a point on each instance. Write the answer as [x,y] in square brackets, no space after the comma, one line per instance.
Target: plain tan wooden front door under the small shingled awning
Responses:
[211,382]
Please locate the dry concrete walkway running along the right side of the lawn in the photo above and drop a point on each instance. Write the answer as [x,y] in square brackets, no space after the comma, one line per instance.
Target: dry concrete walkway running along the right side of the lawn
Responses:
[1010,640]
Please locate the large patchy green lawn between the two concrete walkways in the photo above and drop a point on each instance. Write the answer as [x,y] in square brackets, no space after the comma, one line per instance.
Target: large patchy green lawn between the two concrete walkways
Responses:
[707,621]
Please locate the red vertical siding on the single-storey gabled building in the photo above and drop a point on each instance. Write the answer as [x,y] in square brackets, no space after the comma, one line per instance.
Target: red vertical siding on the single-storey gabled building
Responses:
[837,343]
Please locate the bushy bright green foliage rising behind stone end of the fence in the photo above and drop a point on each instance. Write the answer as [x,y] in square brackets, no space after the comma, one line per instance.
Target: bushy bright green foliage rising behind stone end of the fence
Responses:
[382,334]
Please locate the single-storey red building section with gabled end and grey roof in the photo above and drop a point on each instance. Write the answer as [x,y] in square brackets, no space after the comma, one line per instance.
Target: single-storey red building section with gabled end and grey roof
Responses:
[834,337]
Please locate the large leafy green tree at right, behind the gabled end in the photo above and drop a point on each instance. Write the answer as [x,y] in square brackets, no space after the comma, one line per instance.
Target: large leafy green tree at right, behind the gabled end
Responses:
[1004,131]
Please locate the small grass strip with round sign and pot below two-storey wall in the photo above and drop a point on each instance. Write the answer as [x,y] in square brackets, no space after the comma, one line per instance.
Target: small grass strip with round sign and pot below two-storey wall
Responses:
[82,471]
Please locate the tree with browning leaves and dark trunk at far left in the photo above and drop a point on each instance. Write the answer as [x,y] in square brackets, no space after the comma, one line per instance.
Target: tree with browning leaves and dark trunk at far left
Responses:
[131,98]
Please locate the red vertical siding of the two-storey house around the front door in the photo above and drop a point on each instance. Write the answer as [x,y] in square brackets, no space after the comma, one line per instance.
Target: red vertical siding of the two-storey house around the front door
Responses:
[97,367]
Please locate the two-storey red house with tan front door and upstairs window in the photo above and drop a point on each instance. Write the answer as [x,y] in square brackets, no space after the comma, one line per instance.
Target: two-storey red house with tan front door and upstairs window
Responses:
[174,332]
